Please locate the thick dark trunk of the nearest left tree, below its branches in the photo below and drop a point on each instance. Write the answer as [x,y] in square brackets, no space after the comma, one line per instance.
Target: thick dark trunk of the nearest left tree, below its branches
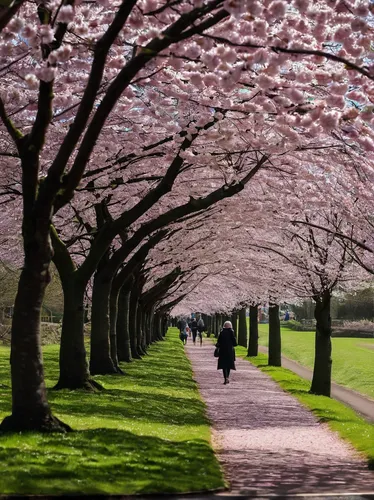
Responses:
[30,409]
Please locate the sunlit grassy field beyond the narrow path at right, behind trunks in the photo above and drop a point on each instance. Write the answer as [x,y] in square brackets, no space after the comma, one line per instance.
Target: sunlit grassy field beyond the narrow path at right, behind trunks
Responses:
[353,359]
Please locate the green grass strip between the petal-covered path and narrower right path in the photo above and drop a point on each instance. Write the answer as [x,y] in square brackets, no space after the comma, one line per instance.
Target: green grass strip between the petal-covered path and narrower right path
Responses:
[339,417]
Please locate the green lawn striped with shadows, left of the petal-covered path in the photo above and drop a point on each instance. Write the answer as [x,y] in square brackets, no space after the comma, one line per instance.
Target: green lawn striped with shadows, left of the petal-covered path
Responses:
[146,433]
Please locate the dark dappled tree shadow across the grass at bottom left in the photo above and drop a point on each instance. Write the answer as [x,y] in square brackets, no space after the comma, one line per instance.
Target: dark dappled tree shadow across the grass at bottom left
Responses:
[105,461]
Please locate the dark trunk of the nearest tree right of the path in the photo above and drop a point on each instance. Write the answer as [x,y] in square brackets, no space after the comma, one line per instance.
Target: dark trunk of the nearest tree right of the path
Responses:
[321,382]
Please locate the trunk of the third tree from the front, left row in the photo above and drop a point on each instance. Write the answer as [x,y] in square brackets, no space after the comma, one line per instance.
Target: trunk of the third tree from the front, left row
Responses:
[100,361]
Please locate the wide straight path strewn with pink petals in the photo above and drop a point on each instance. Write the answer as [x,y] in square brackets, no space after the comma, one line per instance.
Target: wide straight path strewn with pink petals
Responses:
[267,442]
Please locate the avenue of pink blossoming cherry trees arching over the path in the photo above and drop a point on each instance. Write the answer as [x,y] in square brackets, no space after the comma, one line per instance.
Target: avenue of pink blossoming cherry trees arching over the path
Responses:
[170,156]
